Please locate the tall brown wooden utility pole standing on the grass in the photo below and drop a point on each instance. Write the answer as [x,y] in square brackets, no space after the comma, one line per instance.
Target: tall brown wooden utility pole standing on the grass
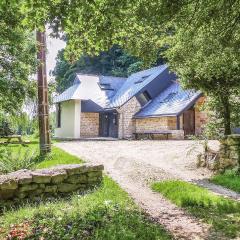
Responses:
[43,108]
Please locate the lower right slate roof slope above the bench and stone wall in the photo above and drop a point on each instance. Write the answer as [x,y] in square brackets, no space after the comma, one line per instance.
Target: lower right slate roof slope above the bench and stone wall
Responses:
[171,102]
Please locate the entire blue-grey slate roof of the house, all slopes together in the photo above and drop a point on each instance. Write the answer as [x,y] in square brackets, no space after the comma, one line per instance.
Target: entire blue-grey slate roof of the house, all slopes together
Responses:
[171,101]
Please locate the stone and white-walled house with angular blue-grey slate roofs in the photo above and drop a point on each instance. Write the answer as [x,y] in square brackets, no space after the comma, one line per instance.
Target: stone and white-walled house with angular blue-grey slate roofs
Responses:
[147,101]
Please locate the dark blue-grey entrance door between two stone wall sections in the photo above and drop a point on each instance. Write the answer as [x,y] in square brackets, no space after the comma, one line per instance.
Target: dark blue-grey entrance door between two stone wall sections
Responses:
[108,124]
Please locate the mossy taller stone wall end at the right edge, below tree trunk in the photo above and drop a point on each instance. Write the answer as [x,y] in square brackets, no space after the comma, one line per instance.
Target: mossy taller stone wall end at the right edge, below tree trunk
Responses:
[229,154]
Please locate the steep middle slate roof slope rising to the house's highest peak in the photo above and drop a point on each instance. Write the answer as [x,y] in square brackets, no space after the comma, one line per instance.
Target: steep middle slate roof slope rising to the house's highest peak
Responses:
[134,84]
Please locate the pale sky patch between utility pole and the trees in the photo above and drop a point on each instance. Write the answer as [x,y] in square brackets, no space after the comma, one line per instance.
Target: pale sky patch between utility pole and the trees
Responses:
[53,46]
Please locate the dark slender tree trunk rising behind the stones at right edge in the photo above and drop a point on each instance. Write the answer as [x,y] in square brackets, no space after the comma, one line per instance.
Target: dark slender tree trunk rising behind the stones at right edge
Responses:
[226,113]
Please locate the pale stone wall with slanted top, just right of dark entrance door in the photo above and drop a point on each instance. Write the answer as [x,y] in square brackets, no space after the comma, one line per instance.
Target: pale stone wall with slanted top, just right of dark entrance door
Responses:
[126,122]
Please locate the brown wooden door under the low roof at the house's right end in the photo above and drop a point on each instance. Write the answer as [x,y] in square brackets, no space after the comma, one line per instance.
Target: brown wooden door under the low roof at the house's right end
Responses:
[189,122]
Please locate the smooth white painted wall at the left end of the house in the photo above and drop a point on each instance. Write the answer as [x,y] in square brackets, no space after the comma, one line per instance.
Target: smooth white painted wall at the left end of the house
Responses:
[70,120]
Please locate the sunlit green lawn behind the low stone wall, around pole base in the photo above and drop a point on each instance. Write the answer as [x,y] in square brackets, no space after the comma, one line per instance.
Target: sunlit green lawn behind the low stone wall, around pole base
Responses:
[27,156]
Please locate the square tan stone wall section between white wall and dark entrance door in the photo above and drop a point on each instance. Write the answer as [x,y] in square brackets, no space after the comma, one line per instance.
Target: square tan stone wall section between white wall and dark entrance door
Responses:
[89,126]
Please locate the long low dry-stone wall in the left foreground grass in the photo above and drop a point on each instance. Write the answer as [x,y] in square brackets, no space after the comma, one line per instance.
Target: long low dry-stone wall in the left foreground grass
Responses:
[47,182]
